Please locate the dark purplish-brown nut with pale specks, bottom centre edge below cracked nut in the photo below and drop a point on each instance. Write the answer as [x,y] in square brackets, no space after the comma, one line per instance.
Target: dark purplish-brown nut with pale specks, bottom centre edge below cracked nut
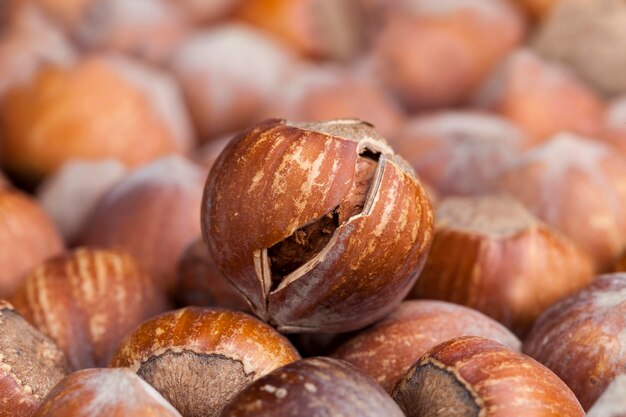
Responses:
[313,387]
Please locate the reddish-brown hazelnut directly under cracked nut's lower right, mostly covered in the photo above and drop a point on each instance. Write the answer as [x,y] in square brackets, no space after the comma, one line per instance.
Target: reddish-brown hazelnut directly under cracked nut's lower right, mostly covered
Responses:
[390,347]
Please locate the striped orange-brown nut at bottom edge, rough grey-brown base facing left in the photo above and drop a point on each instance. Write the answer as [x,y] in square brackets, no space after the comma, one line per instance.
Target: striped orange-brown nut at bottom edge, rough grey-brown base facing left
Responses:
[472,376]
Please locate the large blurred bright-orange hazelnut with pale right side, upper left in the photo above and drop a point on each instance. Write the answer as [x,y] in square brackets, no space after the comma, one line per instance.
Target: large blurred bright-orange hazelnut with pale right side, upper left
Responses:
[60,116]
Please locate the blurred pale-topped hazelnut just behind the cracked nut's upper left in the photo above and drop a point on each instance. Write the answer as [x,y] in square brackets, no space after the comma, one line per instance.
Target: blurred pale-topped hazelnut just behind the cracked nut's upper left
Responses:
[228,74]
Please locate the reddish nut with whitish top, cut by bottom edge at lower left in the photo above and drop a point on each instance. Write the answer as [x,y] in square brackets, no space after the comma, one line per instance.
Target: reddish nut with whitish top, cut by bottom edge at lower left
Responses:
[105,393]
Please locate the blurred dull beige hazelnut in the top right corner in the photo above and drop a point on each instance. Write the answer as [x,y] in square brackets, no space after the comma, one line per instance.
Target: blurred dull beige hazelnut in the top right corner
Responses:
[588,36]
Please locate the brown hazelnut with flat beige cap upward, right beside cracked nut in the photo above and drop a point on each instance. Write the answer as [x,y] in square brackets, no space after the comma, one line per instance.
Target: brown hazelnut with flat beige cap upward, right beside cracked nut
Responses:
[491,254]
